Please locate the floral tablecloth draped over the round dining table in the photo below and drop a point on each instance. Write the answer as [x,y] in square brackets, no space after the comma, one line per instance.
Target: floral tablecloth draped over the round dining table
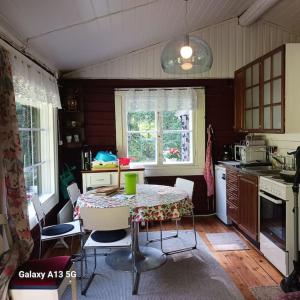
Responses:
[151,202]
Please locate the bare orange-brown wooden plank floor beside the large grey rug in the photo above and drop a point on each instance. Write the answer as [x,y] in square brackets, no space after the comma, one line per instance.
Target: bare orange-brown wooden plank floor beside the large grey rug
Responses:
[247,268]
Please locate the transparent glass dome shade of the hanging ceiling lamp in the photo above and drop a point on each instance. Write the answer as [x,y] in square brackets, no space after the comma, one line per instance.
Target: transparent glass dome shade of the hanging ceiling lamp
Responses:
[173,63]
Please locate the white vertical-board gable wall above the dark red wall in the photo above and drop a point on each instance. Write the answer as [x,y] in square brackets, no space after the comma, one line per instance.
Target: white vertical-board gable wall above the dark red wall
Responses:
[232,45]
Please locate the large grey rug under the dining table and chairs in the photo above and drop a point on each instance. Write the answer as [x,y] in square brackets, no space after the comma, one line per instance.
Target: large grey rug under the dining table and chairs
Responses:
[188,276]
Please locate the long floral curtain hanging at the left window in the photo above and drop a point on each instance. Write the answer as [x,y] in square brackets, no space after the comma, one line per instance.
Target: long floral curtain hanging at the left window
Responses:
[12,194]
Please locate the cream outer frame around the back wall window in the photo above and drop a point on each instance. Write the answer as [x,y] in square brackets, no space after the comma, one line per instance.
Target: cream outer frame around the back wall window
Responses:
[181,168]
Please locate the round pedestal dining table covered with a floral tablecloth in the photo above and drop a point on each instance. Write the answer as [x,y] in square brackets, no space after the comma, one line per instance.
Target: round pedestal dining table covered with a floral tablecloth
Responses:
[150,203]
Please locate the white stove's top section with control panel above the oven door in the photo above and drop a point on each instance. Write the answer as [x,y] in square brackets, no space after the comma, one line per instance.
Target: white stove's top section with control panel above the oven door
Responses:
[276,186]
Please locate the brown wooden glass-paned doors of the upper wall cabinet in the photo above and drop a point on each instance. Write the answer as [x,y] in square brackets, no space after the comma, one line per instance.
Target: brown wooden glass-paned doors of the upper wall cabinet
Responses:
[260,94]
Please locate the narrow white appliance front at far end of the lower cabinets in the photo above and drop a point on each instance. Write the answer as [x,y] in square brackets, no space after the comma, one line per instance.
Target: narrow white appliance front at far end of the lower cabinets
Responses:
[220,184]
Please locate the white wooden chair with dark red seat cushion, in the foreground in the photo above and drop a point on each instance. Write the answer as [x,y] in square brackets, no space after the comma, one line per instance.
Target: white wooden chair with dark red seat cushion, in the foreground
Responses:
[31,288]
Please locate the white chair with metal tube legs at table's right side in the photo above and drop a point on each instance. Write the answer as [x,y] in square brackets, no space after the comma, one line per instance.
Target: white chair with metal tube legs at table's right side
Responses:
[188,186]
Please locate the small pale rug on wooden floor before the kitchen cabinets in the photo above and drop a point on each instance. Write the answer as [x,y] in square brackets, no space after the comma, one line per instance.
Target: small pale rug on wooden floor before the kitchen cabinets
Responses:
[226,241]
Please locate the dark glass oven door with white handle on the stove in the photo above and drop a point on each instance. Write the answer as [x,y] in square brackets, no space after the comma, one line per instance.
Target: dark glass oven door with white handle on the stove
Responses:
[273,219]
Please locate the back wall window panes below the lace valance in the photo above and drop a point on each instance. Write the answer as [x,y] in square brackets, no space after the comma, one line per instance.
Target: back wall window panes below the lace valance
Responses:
[160,137]
